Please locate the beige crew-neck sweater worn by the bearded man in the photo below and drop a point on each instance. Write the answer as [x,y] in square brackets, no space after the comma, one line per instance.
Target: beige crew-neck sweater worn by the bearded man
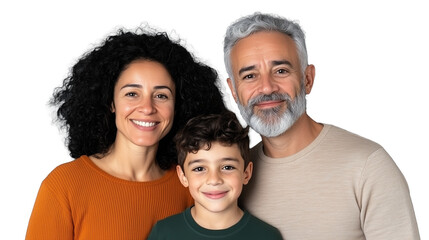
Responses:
[340,187]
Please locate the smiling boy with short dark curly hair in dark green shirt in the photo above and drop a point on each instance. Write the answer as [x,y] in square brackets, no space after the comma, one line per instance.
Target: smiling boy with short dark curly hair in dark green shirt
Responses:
[213,157]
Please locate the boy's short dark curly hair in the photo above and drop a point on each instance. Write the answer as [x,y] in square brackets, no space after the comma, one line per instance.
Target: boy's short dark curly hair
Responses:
[201,131]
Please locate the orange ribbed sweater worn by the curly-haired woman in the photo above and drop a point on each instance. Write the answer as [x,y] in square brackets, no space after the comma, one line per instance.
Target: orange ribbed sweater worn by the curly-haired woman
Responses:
[80,201]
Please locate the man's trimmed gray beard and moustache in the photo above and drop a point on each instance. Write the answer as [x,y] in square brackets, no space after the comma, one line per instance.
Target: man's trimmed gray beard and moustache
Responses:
[274,121]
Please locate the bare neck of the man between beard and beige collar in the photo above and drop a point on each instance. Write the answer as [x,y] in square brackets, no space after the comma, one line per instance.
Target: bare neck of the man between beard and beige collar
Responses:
[296,138]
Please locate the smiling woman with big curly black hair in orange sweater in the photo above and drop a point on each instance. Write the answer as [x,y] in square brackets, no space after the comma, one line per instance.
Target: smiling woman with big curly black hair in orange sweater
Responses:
[121,105]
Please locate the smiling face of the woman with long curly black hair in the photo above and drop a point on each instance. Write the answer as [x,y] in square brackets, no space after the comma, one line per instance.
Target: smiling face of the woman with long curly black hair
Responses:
[143,102]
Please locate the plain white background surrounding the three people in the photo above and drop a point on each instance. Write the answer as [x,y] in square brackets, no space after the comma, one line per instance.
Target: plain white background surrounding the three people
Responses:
[371,61]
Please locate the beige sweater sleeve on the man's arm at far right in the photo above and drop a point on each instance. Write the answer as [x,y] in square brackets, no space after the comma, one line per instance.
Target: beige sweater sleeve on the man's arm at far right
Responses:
[386,208]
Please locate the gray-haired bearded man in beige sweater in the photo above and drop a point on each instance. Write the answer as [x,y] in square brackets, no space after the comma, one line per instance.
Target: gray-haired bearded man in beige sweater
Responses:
[311,180]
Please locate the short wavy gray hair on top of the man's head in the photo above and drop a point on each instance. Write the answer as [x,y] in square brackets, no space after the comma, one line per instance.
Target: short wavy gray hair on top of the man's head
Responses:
[258,22]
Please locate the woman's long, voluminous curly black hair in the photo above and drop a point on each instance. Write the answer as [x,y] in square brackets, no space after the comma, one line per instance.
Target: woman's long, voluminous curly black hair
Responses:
[85,97]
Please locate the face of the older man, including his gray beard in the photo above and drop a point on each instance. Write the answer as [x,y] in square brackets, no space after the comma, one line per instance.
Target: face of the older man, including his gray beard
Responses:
[269,84]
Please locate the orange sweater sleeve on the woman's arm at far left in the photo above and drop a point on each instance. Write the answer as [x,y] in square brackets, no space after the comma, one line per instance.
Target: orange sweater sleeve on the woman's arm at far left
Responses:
[50,219]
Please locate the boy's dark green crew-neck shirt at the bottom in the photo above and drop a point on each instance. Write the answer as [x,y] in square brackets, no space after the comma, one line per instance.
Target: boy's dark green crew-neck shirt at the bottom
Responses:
[183,226]
